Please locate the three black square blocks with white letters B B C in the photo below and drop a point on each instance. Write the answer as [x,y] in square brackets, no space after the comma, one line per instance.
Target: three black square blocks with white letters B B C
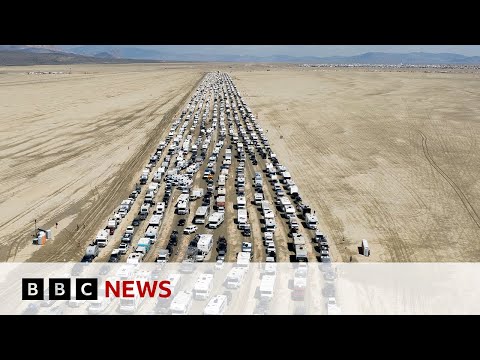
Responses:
[59,289]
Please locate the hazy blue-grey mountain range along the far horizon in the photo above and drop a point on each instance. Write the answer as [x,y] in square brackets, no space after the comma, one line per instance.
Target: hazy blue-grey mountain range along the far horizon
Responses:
[113,53]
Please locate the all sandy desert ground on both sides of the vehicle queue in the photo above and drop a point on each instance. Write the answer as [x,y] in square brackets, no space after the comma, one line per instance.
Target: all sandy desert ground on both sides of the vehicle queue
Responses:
[386,156]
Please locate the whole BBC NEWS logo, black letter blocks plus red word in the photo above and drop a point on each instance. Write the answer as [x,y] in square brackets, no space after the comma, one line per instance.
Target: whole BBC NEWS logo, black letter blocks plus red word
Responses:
[87,289]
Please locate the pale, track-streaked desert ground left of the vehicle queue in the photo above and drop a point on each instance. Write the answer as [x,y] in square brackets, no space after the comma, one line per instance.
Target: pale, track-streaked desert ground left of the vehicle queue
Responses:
[70,141]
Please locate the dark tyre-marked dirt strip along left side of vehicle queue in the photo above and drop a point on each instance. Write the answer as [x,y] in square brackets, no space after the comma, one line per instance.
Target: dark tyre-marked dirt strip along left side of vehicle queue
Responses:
[62,246]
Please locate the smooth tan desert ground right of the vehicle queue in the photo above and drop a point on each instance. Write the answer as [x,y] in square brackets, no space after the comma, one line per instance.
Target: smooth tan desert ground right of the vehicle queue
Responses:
[391,157]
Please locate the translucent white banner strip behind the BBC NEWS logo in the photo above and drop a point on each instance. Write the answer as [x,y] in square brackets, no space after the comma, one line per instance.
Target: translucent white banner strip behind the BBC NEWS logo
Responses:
[257,288]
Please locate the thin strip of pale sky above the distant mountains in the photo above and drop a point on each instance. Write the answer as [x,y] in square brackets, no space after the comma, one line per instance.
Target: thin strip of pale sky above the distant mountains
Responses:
[305,50]
